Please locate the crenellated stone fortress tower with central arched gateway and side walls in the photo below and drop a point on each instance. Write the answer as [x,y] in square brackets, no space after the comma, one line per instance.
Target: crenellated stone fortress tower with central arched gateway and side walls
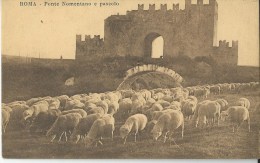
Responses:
[191,32]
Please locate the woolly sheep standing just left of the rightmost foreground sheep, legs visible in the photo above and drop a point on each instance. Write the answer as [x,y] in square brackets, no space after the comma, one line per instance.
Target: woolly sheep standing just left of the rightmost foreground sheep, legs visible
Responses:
[207,111]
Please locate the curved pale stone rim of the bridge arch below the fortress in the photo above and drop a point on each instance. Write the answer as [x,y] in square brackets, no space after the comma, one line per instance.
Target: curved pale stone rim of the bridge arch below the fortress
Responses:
[138,70]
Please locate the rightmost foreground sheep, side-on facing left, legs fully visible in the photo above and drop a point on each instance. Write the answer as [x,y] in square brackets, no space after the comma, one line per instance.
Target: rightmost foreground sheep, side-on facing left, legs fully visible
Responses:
[237,115]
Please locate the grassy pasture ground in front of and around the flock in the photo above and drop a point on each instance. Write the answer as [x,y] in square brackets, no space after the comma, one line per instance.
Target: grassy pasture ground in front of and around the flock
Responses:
[216,142]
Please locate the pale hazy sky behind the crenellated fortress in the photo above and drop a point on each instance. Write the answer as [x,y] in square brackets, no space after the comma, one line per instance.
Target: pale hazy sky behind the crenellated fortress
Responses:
[23,32]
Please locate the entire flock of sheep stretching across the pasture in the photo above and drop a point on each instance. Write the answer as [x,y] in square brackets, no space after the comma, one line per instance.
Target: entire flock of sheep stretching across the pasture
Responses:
[158,112]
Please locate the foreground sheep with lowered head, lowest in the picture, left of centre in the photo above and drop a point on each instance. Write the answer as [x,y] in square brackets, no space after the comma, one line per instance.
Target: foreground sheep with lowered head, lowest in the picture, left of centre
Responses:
[100,129]
